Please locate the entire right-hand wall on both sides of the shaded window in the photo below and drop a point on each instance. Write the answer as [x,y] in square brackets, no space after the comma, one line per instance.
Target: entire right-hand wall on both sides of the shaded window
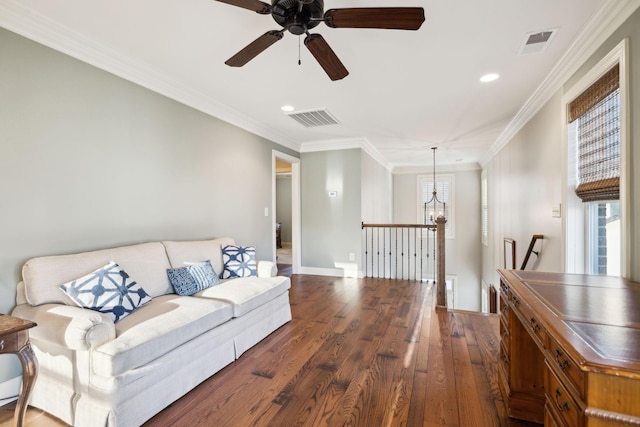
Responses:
[524,178]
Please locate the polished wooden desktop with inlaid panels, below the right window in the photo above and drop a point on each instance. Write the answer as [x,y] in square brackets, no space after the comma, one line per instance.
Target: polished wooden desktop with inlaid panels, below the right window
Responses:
[598,316]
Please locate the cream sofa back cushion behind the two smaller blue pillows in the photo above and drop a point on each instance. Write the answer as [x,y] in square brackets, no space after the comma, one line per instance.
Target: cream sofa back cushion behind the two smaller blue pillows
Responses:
[180,253]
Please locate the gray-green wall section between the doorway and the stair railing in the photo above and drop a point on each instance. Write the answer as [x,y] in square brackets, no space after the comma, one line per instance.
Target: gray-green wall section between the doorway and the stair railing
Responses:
[331,225]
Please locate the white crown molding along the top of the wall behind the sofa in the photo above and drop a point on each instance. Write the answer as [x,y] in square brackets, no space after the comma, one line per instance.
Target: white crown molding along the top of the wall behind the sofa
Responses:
[26,22]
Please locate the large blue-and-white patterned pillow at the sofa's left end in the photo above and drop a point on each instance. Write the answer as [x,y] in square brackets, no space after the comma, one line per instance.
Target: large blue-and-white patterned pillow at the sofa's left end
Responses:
[108,290]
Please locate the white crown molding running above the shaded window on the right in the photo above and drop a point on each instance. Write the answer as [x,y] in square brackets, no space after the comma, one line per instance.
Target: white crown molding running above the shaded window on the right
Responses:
[599,28]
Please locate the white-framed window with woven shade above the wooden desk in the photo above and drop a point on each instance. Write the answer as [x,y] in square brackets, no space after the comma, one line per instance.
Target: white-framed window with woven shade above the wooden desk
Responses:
[595,170]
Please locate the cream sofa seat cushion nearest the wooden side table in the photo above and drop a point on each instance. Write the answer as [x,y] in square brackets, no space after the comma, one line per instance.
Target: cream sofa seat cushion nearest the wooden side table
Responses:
[157,328]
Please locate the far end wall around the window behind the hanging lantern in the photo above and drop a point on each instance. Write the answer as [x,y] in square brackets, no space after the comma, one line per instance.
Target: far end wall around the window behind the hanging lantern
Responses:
[463,253]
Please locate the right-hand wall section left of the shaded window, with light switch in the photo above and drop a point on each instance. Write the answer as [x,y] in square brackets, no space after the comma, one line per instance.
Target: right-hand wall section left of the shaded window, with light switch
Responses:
[524,181]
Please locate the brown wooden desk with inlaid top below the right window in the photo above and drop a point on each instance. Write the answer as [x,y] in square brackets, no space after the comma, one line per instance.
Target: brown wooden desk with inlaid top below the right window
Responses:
[570,348]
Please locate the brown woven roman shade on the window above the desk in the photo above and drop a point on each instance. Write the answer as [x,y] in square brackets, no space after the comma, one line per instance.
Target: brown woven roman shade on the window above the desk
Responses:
[597,111]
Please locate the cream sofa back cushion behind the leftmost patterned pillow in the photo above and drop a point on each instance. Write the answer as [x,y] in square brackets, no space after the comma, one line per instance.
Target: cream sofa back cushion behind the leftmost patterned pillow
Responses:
[146,263]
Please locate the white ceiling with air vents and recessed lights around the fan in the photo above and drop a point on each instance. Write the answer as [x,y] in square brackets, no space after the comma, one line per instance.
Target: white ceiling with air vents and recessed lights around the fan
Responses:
[407,90]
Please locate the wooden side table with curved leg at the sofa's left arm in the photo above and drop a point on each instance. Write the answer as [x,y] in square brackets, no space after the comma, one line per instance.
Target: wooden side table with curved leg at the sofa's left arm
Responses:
[14,338]
